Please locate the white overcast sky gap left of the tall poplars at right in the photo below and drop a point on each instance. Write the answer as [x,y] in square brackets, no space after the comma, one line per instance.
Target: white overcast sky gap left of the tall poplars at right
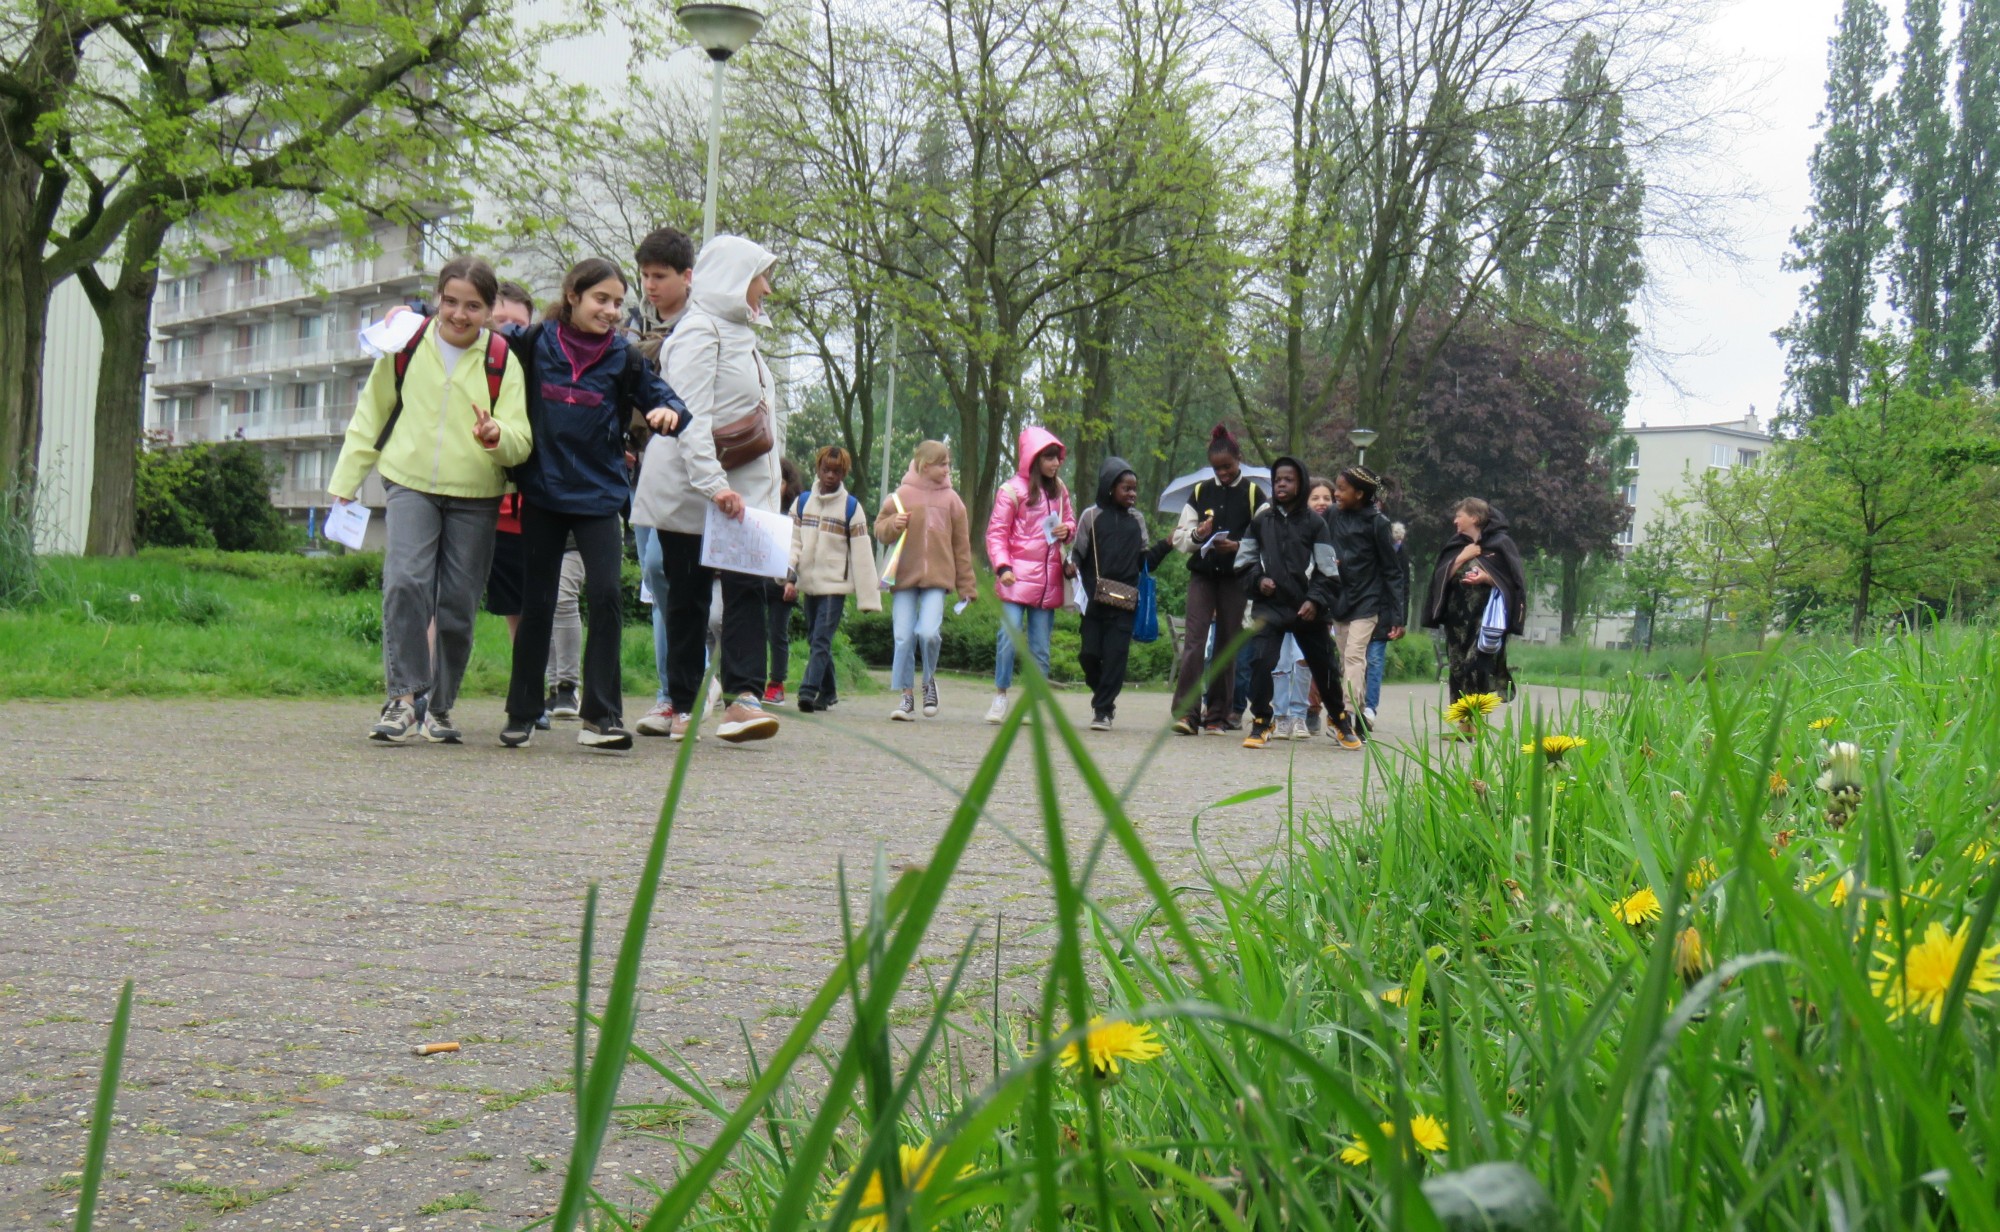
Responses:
[1721,317]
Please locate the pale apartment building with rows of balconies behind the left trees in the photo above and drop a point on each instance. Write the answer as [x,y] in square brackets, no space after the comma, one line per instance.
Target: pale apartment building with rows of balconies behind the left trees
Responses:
[247,349]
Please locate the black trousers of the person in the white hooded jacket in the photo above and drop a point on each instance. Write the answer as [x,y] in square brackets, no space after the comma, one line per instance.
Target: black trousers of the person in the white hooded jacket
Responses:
[689,587]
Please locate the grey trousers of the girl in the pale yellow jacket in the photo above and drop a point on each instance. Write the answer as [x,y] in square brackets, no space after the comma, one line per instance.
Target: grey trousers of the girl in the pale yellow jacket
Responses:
[435,569]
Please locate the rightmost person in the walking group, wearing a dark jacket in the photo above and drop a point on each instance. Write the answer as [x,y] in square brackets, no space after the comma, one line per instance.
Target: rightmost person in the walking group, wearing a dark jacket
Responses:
[1473,563]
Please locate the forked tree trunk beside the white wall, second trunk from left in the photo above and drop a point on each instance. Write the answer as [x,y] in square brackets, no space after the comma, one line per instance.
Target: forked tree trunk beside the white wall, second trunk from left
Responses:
[125,315]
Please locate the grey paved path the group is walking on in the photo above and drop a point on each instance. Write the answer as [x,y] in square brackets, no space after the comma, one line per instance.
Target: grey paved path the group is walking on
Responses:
[299,907]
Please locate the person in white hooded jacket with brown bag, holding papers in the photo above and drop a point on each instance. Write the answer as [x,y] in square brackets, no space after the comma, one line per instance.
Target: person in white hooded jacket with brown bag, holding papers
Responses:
[713,361]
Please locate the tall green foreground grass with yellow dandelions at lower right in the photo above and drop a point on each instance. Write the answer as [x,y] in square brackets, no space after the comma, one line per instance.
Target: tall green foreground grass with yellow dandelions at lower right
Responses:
[1623,975]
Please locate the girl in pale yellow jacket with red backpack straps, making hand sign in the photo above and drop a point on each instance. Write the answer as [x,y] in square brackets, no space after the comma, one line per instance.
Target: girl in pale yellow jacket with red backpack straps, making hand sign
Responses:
[441,421]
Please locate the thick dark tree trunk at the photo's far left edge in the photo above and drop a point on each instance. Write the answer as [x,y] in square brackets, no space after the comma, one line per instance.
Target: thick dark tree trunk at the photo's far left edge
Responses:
[23,329]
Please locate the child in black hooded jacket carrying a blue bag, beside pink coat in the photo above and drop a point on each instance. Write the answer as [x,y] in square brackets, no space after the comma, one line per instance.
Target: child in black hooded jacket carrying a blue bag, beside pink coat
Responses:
[1111,543]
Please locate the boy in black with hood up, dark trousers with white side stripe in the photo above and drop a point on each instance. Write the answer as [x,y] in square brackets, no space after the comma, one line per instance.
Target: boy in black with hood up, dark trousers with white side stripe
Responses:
[1293,573]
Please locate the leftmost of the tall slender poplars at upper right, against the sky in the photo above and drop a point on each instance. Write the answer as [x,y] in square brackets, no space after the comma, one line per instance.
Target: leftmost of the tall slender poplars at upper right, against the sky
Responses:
[1847,229]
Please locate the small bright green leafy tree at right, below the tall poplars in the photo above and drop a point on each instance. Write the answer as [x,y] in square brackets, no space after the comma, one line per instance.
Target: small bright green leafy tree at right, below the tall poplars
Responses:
[1897,489]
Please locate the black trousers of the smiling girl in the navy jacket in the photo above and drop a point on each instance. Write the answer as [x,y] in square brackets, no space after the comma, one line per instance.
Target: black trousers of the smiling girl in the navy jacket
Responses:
[543,539]
